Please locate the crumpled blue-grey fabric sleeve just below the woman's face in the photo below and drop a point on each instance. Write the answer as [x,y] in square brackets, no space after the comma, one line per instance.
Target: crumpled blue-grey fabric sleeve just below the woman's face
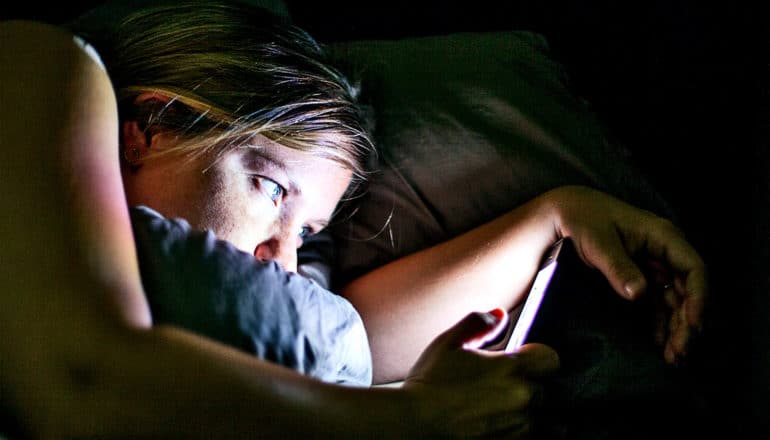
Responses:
[207,286]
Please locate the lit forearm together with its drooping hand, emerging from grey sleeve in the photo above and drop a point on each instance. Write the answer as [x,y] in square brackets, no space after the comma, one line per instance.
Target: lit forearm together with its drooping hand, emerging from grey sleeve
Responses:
[405,303]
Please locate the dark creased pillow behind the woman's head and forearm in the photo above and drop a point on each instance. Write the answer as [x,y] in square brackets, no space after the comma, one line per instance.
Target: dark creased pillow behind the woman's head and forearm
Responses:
[468,126]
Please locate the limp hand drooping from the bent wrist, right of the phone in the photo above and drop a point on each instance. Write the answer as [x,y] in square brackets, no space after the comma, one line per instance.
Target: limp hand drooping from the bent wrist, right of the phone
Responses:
[637,251]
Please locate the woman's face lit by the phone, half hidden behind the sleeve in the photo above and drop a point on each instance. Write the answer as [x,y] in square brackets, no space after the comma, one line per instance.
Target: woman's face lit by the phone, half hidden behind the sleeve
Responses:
[263,198]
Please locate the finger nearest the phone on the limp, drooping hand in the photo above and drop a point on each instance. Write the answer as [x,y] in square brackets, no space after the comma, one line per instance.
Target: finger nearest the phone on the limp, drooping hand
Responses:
[610,257]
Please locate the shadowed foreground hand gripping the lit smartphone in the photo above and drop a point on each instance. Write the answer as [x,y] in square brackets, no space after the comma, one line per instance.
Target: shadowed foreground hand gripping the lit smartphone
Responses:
[467,393]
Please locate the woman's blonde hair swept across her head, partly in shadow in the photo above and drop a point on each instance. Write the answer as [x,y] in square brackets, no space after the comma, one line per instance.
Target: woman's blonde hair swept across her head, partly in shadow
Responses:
[233,71]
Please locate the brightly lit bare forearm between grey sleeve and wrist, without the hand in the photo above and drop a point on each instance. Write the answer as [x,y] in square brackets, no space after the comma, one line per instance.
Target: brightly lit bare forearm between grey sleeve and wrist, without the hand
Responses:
[405,303]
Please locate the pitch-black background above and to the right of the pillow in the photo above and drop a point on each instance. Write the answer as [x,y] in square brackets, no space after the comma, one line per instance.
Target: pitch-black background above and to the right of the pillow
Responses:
[684,84]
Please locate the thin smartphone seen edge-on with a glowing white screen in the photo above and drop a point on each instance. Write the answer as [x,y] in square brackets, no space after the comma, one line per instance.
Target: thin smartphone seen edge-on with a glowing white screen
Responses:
[523,317]
